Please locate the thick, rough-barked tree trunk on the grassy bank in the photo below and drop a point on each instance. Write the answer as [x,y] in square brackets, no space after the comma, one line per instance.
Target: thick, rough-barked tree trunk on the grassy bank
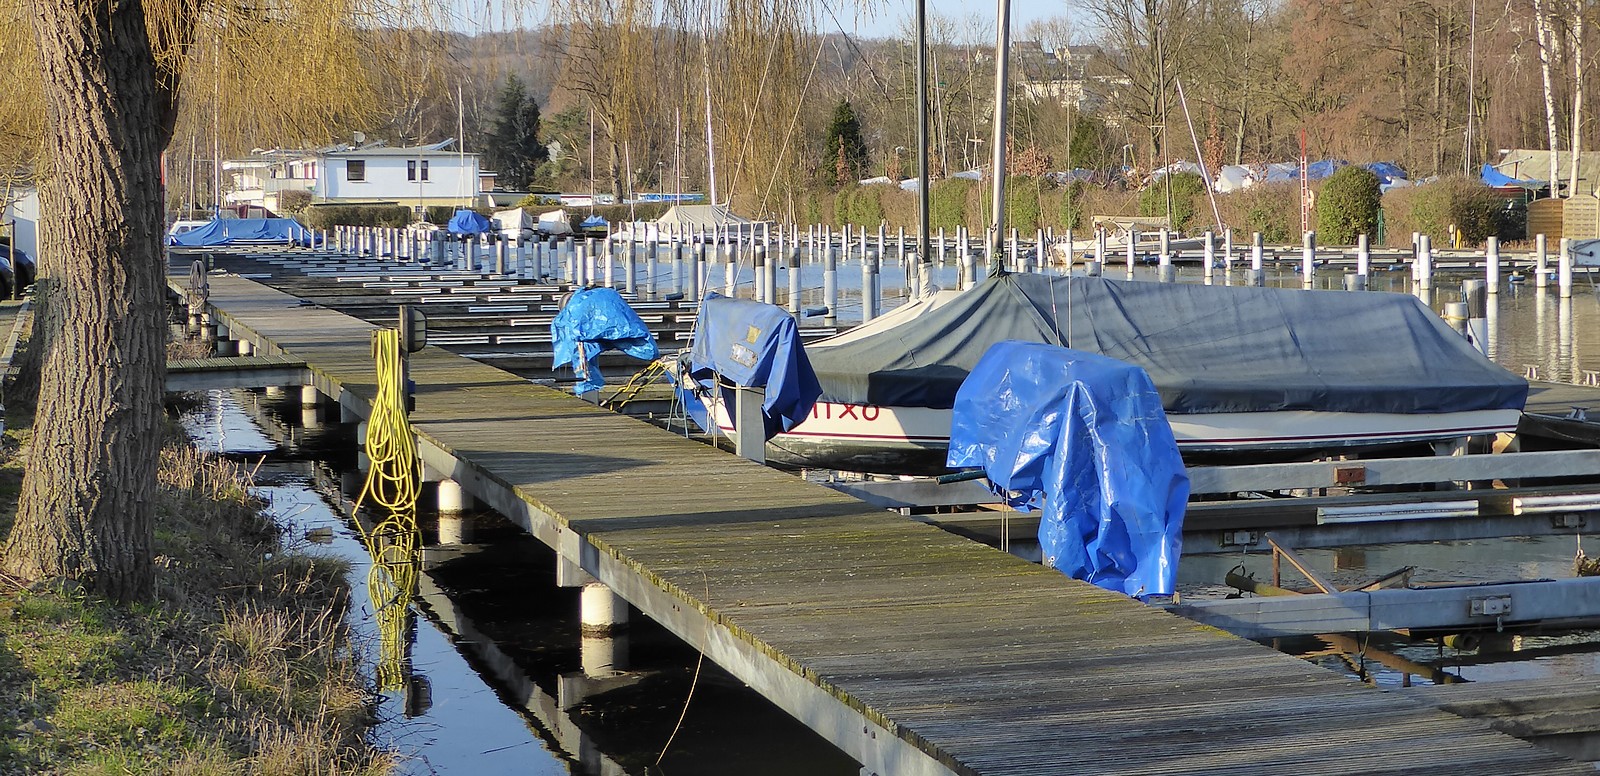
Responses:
[86,505]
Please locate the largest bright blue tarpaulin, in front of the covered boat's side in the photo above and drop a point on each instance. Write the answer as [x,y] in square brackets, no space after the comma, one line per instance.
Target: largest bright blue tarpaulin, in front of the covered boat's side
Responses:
[1084,439]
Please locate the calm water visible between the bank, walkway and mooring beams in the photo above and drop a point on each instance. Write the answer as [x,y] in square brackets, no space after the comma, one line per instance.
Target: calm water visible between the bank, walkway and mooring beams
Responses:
[489,634]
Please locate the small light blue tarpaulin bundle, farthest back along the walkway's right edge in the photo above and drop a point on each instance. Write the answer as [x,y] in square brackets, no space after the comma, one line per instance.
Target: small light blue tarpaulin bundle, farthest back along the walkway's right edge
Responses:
[594,321]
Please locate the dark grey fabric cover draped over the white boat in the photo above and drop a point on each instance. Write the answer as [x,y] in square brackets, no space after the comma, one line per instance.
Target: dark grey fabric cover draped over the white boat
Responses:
[1209,350]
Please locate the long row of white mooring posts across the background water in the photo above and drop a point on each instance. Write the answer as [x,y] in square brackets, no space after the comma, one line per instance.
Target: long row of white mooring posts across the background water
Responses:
[694,252]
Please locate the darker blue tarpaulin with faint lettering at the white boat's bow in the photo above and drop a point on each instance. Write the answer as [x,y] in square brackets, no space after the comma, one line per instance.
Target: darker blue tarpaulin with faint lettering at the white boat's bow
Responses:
[754,345]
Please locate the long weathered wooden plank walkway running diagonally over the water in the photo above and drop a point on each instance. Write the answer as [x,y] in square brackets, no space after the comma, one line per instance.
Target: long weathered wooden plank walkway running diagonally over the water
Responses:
[914,650]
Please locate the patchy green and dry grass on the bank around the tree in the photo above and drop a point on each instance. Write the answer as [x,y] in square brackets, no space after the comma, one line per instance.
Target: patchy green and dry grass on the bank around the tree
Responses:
[241,665]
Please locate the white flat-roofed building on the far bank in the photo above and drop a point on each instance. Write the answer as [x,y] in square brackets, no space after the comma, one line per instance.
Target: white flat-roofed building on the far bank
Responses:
[417,177]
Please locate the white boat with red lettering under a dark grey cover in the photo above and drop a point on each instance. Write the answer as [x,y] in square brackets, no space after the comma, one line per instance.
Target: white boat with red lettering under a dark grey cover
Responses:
[1246,374]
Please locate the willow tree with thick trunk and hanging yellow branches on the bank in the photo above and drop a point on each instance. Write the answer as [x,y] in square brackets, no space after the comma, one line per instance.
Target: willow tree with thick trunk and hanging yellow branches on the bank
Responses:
[110,81]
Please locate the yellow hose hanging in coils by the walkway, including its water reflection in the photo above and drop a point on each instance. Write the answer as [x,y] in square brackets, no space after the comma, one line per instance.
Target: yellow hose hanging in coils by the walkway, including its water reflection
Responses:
[393,484]
